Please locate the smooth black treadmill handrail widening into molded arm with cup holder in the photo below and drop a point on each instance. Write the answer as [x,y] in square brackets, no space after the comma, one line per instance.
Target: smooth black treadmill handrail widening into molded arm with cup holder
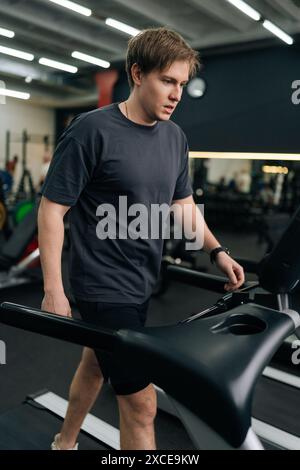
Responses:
[223,376]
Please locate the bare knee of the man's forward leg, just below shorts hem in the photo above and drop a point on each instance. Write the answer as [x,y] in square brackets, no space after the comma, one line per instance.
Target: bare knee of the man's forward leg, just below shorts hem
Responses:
[140,407]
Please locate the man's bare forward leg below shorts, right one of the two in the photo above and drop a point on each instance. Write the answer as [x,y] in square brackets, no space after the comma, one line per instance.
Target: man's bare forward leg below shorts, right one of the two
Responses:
[137,413]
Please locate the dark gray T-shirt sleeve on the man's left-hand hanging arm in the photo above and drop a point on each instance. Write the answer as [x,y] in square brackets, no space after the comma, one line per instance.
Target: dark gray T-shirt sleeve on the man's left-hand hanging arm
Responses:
[70,171]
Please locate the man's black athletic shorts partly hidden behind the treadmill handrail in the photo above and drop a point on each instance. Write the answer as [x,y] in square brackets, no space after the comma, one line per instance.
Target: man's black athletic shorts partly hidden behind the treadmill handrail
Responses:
[125,378]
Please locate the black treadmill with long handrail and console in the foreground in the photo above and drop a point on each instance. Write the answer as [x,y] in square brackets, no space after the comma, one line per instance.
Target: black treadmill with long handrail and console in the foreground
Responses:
[210,363]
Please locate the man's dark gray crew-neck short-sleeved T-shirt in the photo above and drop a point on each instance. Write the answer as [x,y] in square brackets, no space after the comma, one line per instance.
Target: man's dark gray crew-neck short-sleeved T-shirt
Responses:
[101,156]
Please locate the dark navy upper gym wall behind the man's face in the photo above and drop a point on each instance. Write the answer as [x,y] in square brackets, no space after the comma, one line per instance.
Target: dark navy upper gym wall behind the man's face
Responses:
[247,106]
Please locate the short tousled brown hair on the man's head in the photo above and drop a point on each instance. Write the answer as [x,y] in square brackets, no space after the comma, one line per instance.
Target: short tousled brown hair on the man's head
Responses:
[157,49]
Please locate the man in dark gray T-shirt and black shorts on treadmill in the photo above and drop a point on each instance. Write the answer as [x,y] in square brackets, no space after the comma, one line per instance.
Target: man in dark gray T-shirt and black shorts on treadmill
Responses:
[128,149]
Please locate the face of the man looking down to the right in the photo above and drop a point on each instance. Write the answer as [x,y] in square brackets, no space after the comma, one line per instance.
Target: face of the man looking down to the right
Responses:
[160,92]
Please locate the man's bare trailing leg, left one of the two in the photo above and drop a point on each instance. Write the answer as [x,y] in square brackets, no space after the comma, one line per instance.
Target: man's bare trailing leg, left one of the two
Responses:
[85,387]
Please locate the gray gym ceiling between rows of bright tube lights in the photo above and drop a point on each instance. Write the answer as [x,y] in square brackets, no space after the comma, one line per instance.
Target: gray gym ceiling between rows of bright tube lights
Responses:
[46,29]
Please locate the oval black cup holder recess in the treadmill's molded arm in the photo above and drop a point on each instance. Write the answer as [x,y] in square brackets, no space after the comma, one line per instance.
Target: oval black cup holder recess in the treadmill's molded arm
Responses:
[240,325]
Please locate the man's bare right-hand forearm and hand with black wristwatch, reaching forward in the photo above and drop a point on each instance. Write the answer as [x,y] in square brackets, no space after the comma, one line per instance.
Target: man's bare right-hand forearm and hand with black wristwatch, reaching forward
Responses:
[195,225]
